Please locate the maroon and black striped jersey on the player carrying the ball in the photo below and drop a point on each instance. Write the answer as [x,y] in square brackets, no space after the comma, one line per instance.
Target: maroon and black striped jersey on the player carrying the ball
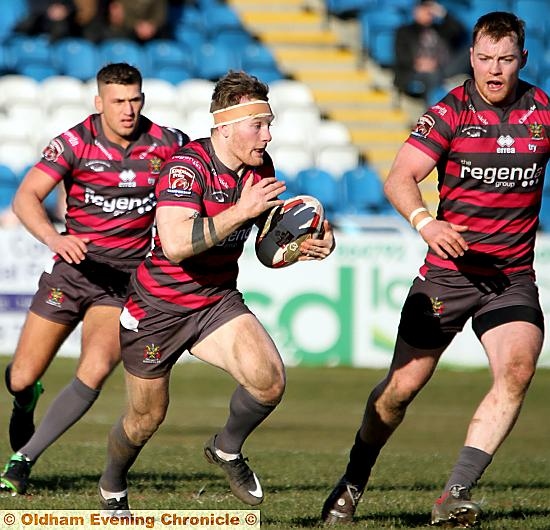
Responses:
[195,178]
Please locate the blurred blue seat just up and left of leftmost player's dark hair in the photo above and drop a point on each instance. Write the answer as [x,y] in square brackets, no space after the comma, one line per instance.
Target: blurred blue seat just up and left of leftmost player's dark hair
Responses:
[76,57]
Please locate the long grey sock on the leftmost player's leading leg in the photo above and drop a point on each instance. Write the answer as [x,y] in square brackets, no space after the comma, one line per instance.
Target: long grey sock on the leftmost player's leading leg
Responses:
[66,409]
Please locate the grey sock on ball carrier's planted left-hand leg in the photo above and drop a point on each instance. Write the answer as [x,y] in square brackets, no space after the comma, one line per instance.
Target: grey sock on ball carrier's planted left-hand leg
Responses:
[121,454]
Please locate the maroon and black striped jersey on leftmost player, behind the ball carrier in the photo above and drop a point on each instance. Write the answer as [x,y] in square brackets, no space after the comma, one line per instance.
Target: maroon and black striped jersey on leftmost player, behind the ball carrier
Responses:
[111,190]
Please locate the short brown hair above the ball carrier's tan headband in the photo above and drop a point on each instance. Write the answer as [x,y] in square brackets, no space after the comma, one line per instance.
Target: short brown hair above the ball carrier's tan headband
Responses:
[235,85]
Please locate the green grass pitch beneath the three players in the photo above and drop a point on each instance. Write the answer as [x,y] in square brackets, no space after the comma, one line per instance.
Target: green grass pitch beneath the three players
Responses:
[300,451]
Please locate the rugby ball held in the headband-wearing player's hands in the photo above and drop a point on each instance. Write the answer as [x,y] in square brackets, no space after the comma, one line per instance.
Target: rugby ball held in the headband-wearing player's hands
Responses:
[278,240]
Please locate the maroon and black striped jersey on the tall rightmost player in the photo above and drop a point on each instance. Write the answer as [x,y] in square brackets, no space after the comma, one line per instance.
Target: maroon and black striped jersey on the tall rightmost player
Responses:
[490,164]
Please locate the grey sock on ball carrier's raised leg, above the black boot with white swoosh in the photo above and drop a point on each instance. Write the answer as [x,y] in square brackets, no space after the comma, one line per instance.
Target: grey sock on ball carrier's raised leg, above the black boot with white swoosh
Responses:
[245,414]
